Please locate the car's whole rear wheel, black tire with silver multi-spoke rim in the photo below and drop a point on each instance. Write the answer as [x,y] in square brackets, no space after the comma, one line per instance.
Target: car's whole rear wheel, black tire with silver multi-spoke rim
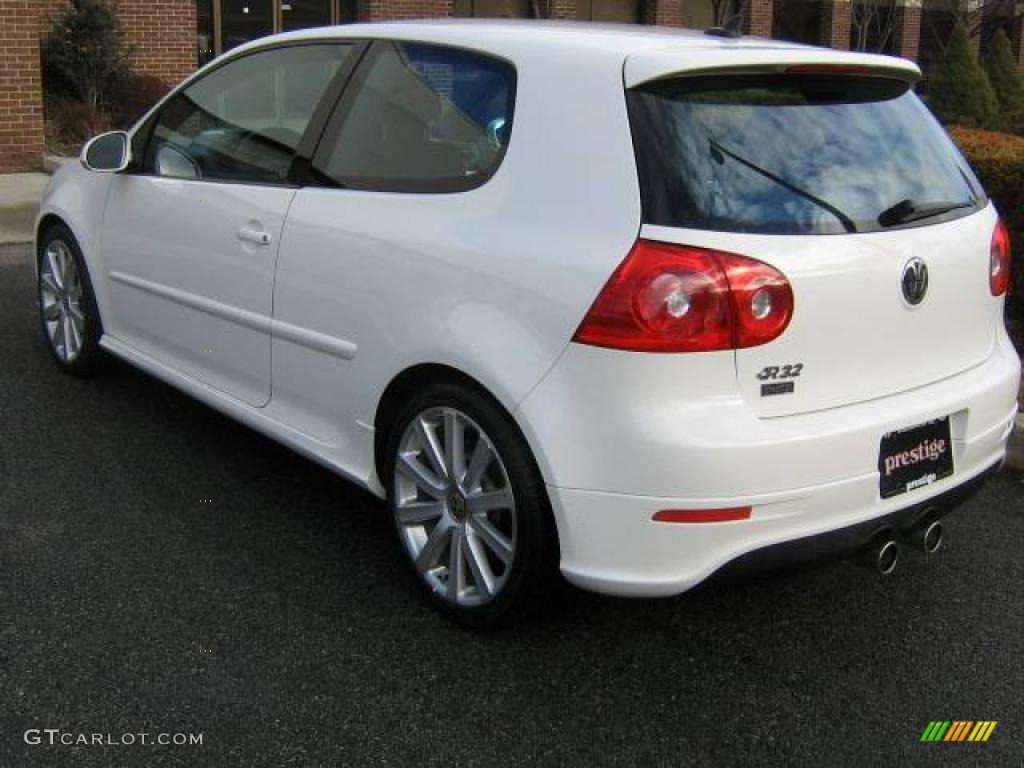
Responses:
[470,507]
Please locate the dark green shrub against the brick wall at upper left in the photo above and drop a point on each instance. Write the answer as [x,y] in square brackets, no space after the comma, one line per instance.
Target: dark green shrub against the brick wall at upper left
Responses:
[86,57]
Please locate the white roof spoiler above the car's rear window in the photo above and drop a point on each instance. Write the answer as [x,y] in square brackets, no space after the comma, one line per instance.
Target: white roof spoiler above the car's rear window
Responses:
[751,60]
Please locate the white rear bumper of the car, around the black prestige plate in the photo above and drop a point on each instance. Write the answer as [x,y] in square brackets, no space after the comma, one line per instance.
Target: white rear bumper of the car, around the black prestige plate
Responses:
[804,477]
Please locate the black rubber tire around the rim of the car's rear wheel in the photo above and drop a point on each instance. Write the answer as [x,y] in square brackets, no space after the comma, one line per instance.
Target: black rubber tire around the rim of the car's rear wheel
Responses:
[533,573]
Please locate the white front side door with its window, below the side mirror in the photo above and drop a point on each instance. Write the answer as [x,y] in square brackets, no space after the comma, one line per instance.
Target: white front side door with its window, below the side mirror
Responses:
[191,239]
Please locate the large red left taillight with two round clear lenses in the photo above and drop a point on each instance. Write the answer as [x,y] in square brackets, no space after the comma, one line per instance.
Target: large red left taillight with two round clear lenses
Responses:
[668,298]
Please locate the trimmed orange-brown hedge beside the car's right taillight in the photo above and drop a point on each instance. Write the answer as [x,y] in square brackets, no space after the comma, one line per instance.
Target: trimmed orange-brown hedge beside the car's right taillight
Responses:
[999,161]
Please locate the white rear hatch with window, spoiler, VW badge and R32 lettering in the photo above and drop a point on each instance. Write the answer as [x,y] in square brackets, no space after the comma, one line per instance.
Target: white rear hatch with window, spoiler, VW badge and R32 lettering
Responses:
[834,173]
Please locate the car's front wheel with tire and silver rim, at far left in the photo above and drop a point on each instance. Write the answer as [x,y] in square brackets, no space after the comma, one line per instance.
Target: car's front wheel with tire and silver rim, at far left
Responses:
[67,306]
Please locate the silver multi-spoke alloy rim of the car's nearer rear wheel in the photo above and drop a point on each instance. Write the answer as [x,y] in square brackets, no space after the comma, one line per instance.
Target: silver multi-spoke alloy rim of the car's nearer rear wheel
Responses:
[454,507]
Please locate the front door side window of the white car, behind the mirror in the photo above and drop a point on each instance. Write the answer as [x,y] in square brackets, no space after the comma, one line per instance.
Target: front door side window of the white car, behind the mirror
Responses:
[244,121]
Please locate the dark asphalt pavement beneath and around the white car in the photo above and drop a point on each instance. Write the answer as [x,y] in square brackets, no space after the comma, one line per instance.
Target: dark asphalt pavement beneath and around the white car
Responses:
[164,571]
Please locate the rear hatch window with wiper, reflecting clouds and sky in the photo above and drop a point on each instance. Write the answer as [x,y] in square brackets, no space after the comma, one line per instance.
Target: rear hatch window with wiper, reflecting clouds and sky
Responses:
[786,155]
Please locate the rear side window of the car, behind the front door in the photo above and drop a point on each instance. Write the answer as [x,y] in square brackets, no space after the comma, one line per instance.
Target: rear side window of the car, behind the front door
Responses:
[424,118]
